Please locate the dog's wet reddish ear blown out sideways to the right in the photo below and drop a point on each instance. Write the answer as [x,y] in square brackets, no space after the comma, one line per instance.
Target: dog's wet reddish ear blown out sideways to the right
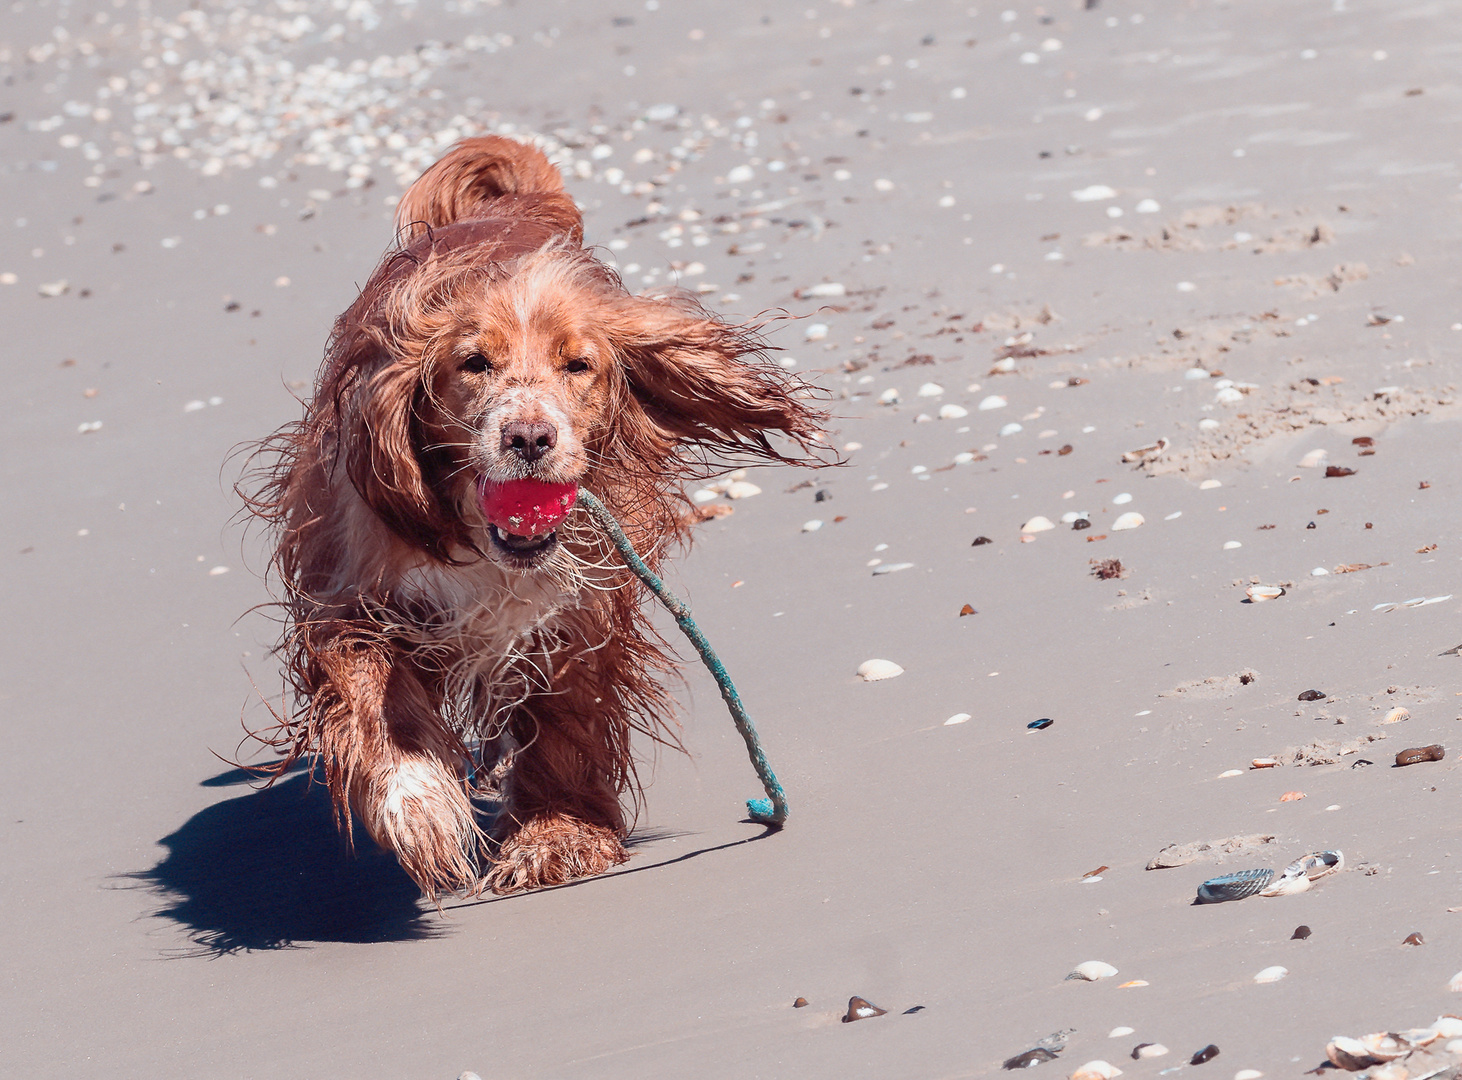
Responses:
[707,384]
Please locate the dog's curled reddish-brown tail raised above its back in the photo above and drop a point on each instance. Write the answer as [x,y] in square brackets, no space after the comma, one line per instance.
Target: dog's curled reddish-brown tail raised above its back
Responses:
[488,178]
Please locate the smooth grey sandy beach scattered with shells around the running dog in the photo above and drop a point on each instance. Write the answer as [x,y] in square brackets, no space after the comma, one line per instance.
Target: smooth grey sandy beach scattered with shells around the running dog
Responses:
[1053,267]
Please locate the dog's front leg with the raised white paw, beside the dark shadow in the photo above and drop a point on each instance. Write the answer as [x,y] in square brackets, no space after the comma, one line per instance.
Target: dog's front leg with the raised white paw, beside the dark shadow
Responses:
[390,759]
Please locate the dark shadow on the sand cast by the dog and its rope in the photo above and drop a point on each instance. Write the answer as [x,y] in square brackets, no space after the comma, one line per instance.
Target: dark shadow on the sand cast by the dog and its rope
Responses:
[270,870]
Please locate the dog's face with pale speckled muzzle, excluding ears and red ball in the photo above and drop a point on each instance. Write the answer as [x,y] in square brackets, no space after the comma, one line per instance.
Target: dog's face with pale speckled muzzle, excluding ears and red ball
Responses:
[521,379]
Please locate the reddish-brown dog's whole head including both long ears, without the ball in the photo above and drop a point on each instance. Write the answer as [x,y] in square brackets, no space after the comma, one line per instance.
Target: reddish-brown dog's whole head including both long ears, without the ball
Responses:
[460,372]
